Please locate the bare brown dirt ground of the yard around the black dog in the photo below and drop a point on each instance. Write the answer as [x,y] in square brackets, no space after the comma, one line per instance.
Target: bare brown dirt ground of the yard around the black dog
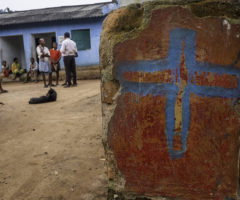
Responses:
[52,151]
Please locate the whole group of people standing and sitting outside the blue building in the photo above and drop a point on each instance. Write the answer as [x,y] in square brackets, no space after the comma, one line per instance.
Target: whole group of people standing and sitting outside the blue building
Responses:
[49,61]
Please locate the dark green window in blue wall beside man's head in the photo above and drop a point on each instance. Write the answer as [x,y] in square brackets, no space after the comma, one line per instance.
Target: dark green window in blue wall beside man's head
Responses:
[82,38]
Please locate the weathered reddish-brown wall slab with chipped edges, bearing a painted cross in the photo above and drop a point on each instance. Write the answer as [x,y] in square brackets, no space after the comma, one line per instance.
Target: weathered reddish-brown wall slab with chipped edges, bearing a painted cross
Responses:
[170,79]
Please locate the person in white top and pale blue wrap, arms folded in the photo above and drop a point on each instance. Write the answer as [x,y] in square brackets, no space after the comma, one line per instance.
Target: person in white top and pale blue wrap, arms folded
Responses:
[44,64]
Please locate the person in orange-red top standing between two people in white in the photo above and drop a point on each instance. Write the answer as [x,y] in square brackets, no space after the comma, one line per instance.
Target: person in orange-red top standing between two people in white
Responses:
[55,58]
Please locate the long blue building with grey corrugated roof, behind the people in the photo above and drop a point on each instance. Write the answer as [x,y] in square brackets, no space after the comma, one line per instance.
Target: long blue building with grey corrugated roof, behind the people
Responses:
[20,31]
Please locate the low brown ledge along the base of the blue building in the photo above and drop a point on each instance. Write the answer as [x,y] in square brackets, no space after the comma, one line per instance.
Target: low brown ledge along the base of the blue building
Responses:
[83,73]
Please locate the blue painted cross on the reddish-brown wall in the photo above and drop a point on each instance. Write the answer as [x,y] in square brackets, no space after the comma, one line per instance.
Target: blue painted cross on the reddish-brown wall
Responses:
[170,90]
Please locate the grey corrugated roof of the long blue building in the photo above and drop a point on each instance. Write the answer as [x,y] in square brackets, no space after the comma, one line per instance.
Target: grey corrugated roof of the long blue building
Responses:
[52,14]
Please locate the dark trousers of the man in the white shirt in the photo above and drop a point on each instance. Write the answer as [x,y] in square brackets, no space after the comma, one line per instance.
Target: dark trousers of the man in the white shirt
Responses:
[70,69]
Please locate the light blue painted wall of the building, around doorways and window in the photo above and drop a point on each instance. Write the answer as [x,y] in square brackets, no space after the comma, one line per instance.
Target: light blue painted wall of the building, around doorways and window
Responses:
[86,57]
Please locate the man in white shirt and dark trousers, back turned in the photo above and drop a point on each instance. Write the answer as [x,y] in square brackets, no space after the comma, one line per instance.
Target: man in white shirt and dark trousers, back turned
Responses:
[69,52]
